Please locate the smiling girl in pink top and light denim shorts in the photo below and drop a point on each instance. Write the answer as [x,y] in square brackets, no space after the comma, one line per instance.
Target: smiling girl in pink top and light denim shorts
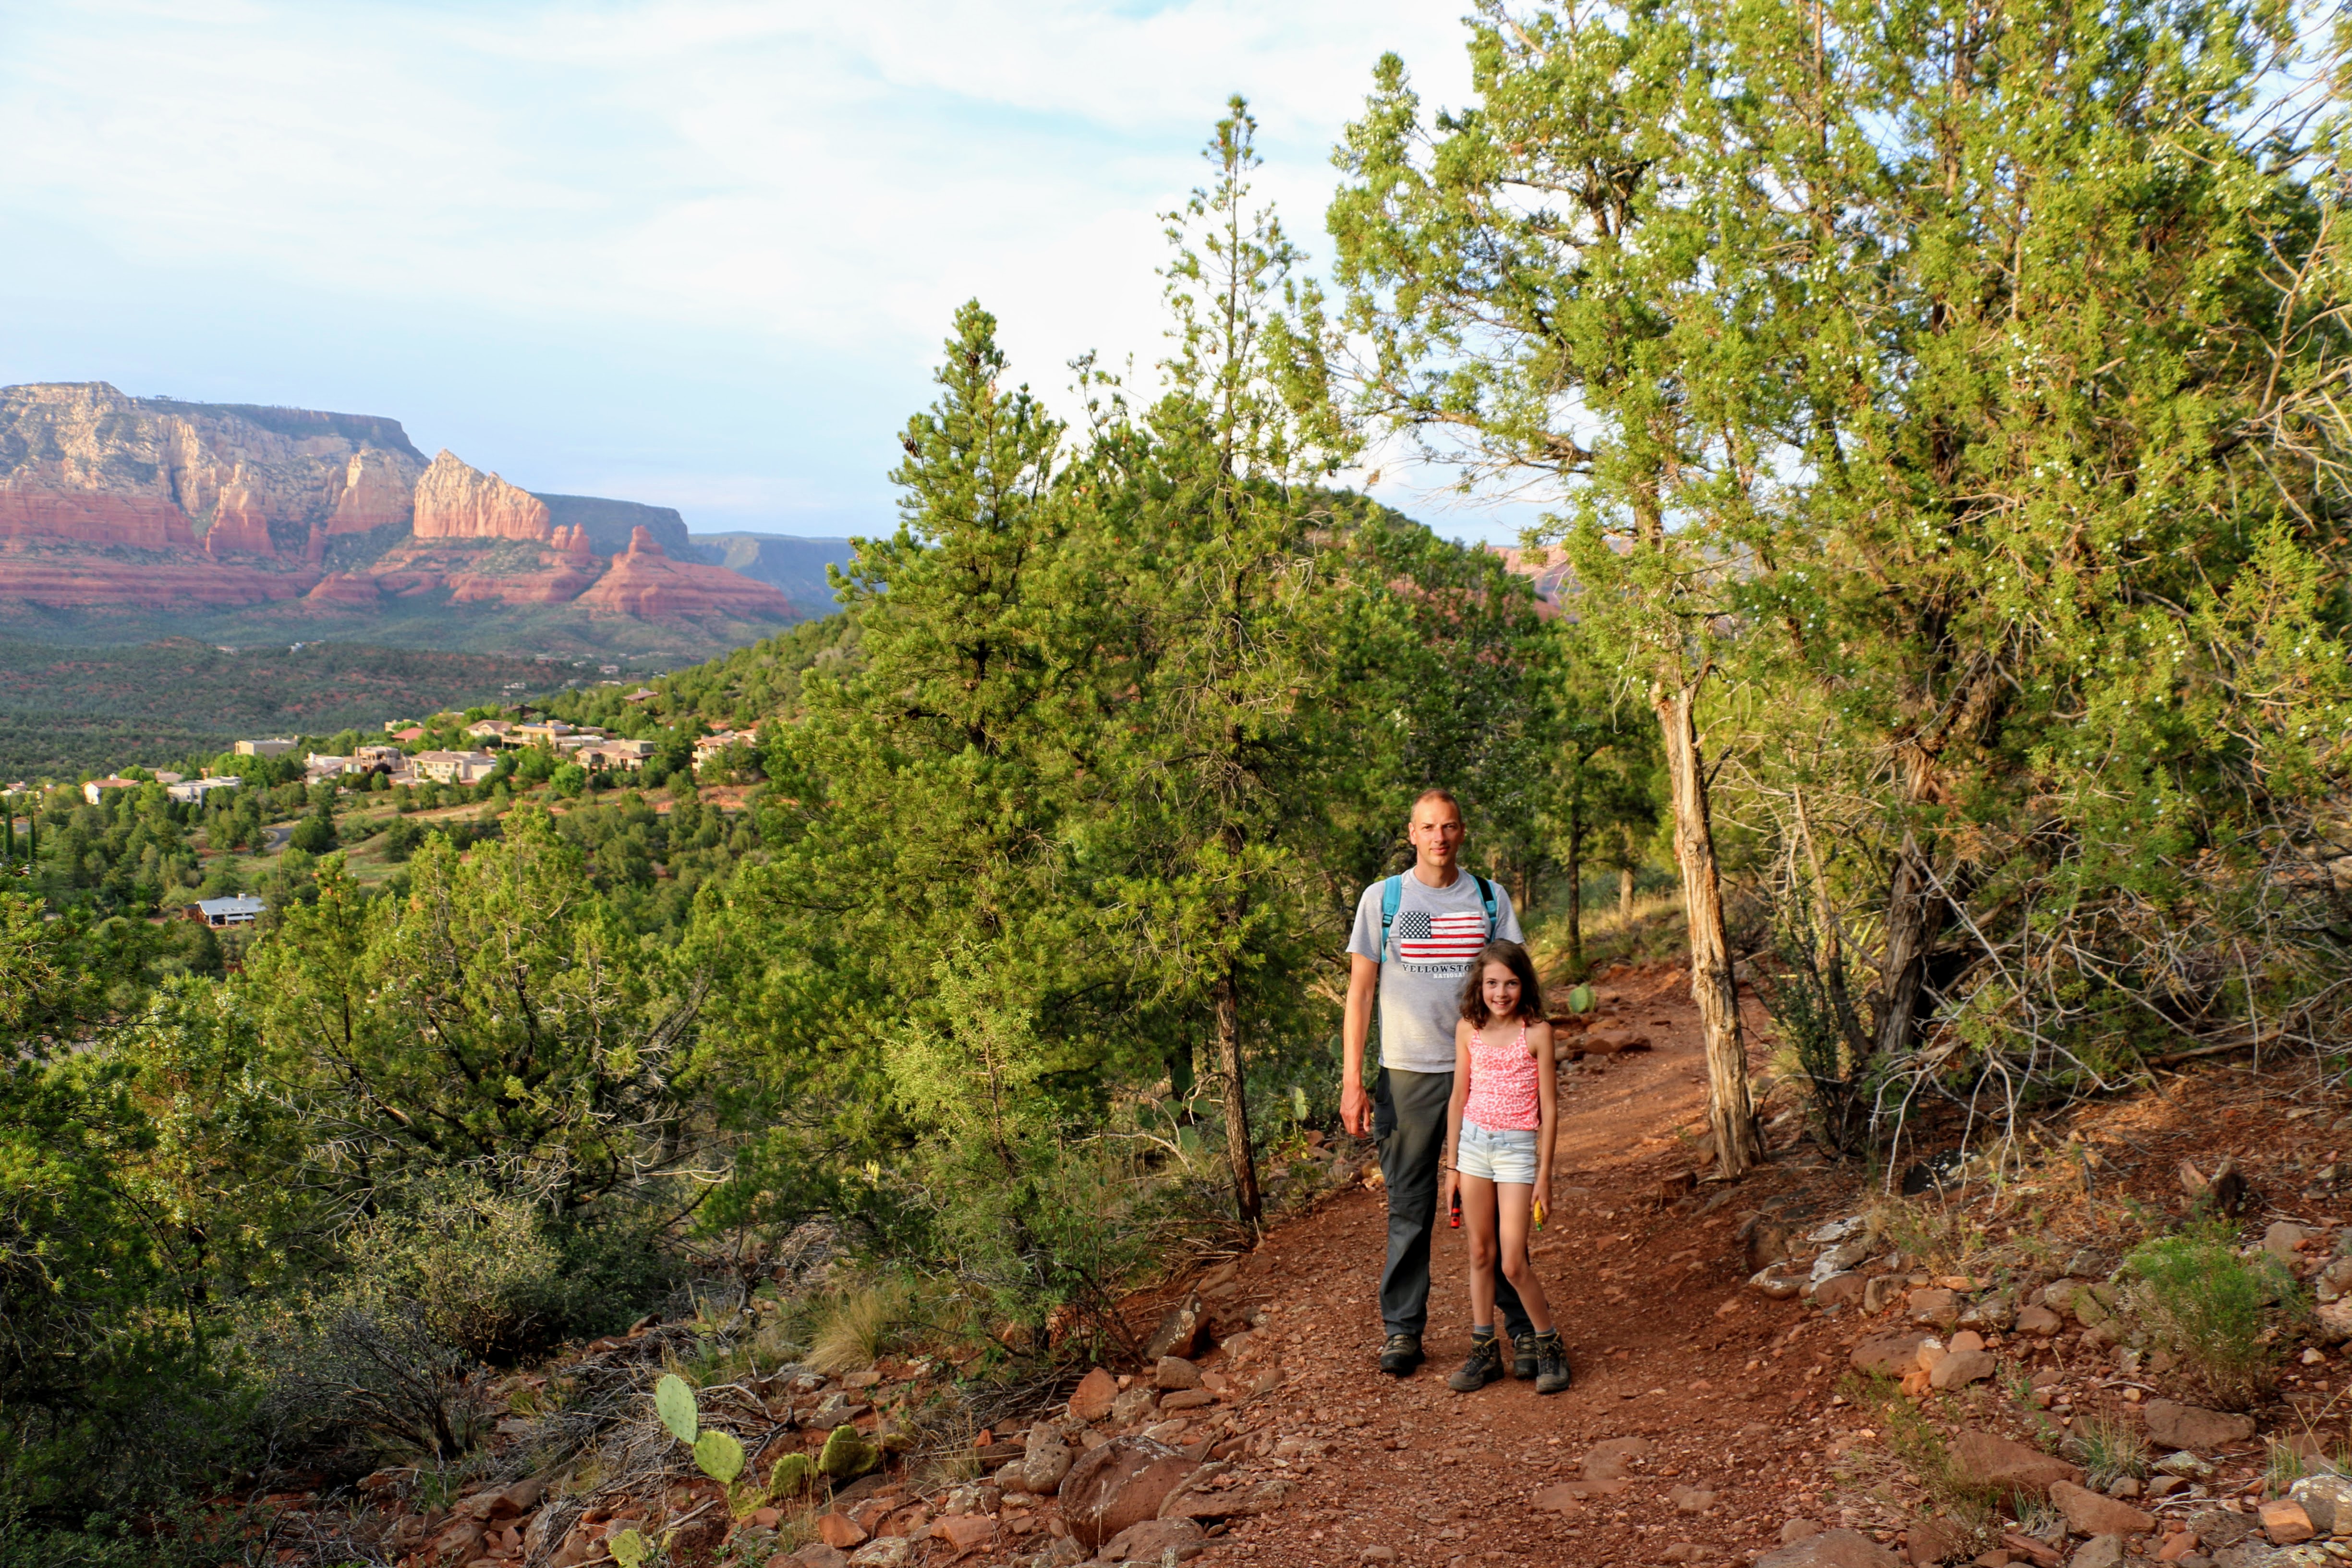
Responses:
[1499,1153]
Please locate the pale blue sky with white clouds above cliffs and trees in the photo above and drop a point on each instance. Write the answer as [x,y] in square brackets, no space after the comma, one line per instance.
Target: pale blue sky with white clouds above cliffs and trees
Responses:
[688,253]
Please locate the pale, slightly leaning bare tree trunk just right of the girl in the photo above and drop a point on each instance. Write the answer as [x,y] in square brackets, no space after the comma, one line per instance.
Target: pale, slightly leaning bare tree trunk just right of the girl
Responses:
[1730,1111]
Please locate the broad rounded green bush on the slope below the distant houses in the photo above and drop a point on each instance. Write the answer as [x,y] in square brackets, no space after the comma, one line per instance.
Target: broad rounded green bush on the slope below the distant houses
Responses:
[497,1019]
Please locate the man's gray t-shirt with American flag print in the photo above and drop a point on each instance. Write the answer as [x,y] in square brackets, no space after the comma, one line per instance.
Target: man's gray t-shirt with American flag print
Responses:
[1431,949]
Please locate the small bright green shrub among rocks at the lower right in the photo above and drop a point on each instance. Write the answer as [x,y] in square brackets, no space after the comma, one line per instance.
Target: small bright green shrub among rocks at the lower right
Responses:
[2214,1311]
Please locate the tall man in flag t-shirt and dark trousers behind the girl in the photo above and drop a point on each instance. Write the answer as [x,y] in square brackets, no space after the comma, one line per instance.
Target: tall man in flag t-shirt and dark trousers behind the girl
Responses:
[1415,942]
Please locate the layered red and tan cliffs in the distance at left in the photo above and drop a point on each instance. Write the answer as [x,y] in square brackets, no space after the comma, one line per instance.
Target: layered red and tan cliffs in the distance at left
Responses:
[159,504]
